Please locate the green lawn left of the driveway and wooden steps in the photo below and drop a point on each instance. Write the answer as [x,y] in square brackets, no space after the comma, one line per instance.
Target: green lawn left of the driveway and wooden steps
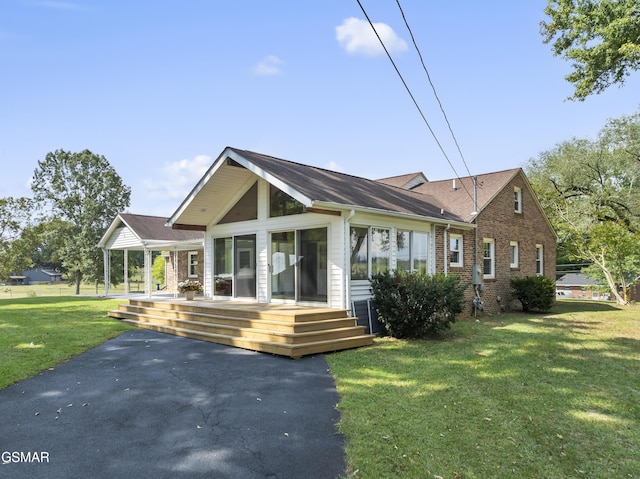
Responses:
[37,333]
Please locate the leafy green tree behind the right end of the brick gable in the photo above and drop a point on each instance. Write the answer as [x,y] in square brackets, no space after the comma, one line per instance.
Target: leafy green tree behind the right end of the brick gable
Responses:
[591,191]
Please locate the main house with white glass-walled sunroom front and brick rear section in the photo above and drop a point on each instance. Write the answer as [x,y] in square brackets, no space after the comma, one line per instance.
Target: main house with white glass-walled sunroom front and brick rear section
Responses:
[276,231]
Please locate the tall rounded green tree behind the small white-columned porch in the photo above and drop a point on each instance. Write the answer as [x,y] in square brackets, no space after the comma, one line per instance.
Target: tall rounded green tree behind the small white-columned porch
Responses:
[84,193]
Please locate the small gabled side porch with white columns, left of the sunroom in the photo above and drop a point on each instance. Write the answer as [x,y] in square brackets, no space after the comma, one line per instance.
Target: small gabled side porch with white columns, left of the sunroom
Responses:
[129,232]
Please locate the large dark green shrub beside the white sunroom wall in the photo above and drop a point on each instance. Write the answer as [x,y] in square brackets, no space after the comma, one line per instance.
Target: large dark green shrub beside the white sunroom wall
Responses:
[416,305]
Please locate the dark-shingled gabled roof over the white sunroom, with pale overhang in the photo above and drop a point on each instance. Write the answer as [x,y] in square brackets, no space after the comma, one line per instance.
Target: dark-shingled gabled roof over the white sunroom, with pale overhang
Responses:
[310,185]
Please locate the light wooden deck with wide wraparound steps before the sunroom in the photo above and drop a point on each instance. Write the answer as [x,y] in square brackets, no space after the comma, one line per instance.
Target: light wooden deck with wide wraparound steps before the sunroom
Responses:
[285,330]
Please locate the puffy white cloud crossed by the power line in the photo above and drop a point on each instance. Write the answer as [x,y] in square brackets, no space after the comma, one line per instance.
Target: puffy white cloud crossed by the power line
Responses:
[356,36]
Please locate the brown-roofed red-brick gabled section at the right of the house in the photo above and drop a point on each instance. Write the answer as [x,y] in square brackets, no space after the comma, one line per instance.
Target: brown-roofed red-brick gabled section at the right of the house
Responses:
[512,235]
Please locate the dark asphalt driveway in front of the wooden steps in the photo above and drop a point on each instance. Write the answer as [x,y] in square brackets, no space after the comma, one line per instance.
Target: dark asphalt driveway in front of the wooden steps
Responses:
[150,405]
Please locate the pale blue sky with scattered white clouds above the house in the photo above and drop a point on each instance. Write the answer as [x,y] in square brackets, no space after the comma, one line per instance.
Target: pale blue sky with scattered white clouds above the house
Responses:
[160,88]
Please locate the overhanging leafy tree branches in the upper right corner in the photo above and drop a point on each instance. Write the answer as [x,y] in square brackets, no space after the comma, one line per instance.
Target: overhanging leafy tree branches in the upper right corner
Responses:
[600,37]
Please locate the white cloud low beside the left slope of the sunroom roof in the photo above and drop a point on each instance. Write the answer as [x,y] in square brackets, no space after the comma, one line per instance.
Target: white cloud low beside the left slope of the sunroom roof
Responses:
[177,179]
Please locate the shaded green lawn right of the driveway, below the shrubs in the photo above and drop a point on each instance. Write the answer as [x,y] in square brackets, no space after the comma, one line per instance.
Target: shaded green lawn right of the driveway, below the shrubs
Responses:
[524,396]
